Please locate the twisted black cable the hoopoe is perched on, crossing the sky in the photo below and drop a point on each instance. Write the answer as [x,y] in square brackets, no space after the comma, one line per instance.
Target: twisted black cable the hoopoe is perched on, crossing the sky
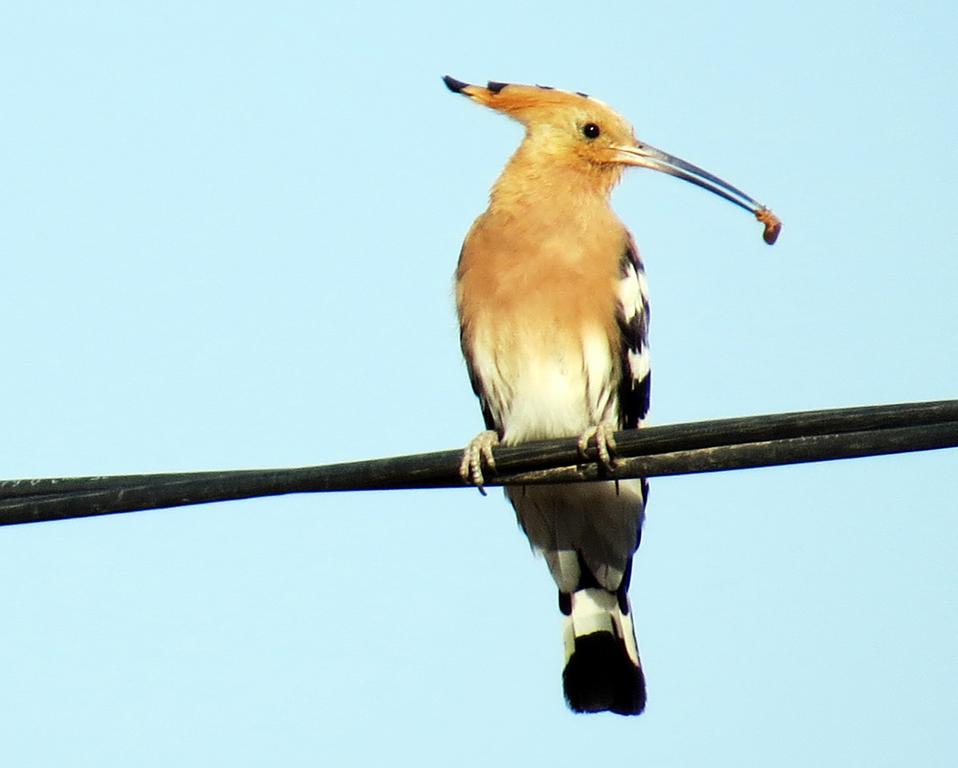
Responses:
[709,446]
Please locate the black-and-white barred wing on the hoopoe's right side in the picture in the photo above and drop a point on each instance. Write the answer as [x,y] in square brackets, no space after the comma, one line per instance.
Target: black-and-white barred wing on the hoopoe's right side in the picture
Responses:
[633,318]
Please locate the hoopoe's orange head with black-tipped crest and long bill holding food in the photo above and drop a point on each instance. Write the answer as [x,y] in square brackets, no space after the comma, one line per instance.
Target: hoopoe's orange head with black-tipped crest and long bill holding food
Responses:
[574,131]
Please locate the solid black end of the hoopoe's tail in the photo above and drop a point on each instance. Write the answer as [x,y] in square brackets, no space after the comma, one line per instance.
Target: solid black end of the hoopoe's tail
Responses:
[600,677]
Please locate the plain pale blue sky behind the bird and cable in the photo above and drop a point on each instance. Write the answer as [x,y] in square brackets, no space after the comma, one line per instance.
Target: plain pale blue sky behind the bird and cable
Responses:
[228,232]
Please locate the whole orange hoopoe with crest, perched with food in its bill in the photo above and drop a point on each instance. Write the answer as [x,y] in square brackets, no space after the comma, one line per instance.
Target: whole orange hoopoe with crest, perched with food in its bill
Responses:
[554,318]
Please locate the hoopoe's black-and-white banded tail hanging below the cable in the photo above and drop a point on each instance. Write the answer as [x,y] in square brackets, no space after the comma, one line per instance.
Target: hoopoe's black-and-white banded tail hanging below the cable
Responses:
[602,670]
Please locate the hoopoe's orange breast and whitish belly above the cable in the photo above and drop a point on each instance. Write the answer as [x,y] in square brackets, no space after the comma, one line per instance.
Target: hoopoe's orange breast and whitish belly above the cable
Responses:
[539,328]
